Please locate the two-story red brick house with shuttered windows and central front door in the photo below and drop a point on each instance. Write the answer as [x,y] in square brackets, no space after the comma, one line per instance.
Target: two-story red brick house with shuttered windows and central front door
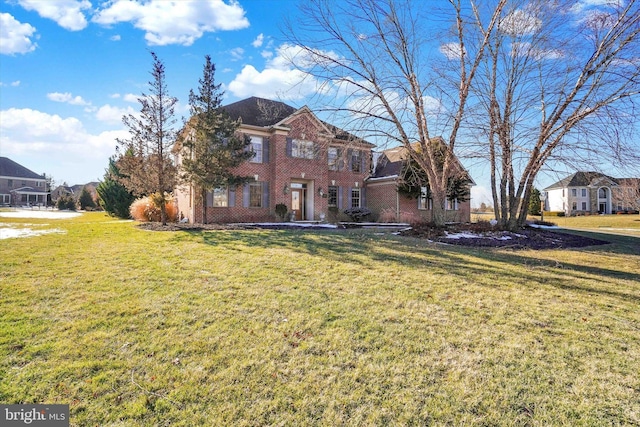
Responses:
[314,168]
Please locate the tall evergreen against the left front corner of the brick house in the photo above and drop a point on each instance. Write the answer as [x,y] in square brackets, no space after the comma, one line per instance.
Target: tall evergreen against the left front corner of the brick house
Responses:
[210,145]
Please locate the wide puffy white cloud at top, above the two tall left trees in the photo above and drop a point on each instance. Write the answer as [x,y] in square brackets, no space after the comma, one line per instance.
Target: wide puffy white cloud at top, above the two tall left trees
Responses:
[174,22]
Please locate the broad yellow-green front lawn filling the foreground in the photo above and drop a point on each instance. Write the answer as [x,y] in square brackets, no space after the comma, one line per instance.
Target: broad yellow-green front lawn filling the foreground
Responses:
[253,328]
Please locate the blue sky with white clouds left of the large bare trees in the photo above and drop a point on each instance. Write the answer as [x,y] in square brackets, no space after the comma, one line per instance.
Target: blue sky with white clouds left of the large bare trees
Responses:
[70,69]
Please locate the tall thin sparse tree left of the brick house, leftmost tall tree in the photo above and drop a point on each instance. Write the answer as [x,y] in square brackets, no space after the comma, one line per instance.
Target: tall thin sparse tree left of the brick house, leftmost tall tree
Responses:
[145,163]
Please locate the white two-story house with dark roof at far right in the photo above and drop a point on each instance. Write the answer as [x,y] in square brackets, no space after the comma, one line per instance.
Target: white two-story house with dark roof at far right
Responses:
[588,193]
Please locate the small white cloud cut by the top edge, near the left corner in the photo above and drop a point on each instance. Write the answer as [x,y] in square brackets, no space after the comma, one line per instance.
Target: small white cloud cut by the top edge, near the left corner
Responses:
[67,13]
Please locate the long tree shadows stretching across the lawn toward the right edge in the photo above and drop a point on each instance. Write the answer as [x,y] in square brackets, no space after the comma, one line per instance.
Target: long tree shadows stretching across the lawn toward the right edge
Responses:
[471,264]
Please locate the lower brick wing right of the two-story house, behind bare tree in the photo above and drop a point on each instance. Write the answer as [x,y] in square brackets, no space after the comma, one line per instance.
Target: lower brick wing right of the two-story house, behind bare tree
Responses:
[387,203]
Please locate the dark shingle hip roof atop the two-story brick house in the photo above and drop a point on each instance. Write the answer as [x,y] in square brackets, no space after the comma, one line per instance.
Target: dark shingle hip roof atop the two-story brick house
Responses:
[259,111]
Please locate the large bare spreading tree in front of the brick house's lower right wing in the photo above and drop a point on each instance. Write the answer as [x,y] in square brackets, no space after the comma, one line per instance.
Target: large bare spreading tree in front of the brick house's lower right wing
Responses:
[377,53]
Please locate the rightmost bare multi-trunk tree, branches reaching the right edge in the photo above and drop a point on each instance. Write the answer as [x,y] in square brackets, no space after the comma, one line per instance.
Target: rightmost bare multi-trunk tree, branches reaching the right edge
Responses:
[558,84]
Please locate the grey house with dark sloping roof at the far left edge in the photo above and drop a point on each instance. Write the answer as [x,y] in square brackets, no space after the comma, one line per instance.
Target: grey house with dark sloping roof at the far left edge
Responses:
[20,186]
